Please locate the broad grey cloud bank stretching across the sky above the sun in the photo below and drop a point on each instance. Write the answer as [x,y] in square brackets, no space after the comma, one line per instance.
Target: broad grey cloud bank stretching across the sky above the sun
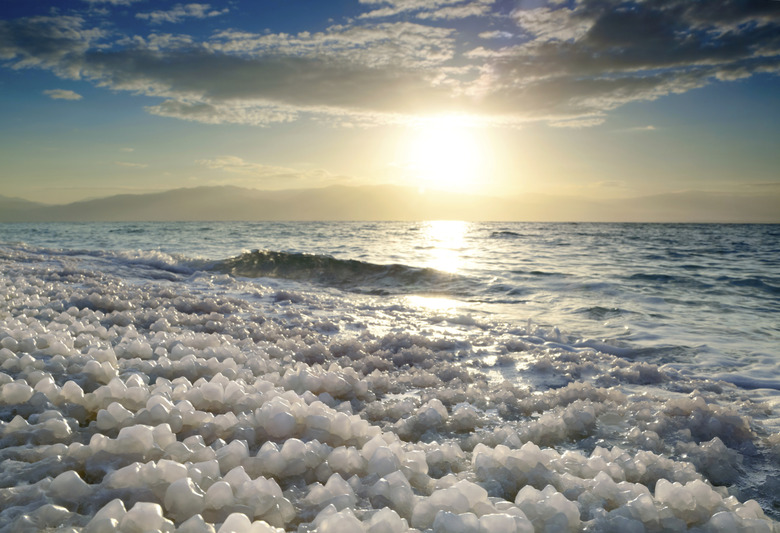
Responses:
[565,63]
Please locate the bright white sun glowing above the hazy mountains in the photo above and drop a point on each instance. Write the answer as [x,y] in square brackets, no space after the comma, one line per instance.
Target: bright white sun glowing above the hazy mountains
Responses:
[445,153]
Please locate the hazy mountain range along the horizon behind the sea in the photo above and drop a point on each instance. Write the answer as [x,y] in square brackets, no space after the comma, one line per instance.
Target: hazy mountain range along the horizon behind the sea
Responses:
[392,203]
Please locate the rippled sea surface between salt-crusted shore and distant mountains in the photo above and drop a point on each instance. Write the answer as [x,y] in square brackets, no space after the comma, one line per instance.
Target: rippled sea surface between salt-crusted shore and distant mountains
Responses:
[701,296]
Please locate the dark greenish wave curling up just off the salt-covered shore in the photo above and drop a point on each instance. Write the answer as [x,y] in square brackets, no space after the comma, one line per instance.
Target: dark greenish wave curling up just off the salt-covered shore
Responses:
[349,274]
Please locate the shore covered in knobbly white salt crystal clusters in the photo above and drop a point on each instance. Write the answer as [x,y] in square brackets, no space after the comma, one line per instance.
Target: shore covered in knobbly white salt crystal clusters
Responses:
[207,403]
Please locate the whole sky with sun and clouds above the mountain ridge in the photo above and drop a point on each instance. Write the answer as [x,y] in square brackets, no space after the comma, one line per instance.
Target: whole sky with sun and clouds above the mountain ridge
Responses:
[598,99]
